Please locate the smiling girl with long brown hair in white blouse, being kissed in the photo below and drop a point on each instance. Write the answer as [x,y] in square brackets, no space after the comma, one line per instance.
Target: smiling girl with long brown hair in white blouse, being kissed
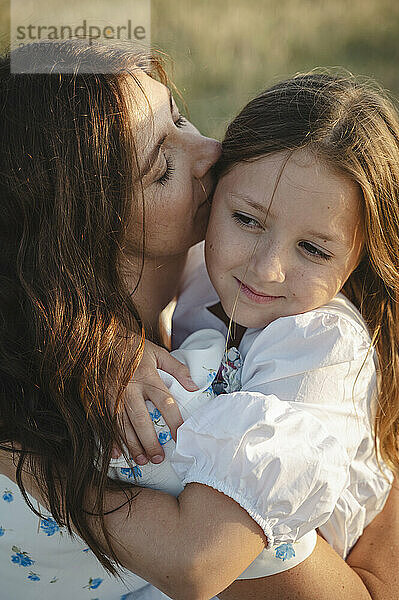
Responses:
[300,249]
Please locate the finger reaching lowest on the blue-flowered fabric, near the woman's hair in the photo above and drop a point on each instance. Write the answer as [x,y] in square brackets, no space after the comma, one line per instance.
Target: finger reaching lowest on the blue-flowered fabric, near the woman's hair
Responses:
[136,411]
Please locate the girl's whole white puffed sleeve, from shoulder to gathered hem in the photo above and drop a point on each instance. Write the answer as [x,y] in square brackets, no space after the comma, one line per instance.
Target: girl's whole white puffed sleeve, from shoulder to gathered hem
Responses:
[284,454]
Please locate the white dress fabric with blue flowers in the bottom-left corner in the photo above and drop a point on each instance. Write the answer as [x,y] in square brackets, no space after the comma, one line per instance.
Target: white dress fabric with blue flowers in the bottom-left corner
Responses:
[40,560]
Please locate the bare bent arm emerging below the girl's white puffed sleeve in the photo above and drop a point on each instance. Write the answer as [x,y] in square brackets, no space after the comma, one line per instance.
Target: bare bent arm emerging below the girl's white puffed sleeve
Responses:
[192,546]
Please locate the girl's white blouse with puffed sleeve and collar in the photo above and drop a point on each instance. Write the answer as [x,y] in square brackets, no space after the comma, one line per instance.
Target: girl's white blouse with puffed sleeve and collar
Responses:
[295,446]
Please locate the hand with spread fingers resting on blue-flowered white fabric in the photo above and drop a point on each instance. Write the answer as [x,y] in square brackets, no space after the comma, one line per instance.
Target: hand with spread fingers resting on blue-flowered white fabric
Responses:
[135,420]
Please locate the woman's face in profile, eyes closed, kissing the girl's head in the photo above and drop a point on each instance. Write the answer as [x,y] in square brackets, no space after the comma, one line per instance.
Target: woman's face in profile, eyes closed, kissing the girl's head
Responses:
[174,161]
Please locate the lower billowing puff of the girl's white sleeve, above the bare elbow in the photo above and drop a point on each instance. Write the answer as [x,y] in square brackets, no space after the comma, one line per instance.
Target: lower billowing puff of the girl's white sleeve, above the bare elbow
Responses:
[279,463]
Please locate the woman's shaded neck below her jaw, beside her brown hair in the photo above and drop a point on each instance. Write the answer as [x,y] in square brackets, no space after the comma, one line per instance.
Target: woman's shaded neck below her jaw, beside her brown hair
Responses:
[158,285]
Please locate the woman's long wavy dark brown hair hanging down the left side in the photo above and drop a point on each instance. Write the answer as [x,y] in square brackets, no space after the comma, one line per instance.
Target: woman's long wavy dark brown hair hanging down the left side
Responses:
[68,167]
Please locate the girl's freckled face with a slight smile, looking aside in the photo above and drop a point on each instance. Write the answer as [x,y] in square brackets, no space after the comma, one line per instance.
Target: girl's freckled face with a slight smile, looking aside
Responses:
[301,255]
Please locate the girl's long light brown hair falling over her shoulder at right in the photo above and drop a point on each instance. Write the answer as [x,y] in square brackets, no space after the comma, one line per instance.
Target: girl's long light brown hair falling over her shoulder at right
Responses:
[353,126]
